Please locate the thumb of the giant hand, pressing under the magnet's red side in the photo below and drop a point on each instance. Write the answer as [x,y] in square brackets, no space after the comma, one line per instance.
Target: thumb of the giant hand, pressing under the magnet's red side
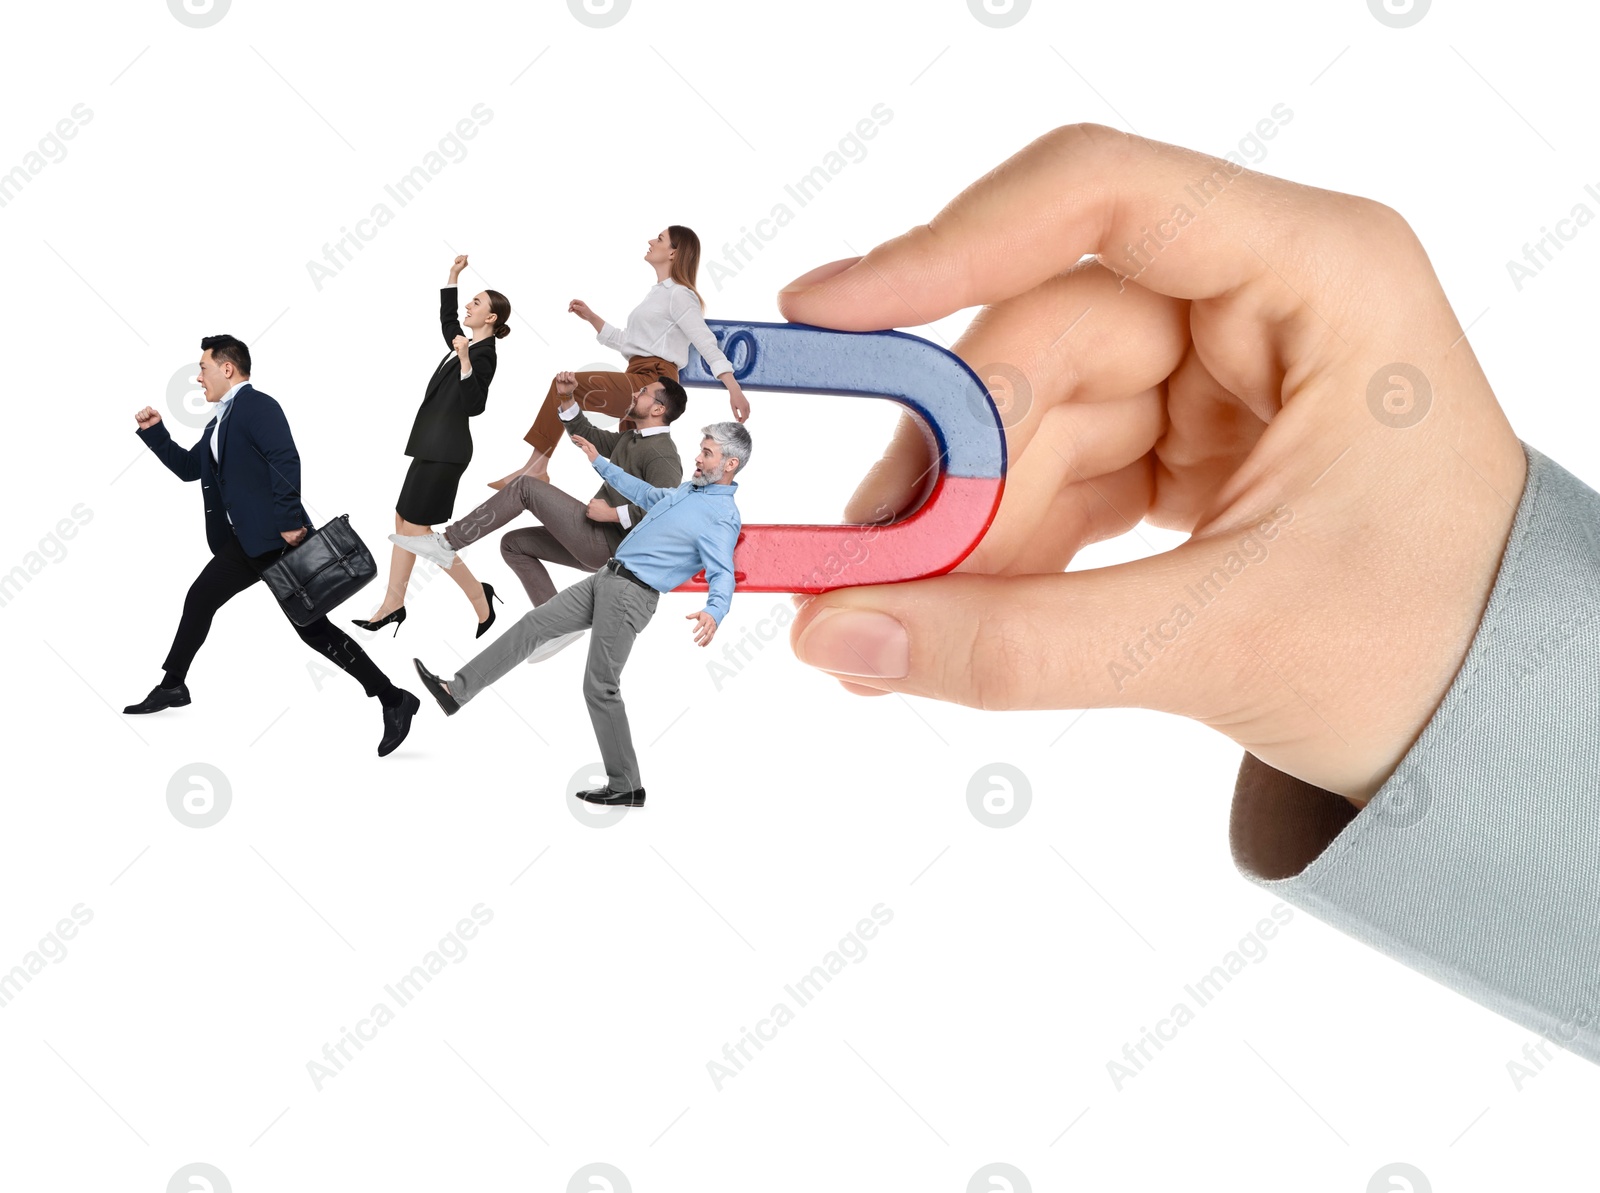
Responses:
[1166,632]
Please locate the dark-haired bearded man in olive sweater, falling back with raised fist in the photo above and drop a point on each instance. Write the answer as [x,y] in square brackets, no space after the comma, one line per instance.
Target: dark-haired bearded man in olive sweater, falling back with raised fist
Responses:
[572,533]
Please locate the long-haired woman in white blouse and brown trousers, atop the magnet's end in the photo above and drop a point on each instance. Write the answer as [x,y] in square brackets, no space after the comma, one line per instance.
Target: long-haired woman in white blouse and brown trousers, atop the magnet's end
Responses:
[657,345]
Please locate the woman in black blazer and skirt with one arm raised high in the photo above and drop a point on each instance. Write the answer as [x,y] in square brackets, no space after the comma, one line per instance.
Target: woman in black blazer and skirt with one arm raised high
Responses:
[441,445]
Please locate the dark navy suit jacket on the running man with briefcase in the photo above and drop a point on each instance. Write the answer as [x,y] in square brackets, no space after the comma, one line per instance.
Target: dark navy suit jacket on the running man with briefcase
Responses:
[258,477]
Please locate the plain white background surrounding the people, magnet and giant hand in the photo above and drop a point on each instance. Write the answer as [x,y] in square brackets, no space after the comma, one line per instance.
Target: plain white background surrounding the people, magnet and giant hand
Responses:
[620,960]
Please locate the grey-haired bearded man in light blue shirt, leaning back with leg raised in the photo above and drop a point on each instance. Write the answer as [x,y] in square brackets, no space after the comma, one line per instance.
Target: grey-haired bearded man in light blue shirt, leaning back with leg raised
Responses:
[692,527]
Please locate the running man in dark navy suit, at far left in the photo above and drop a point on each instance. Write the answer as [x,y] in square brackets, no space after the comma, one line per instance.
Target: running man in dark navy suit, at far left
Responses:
[249,474]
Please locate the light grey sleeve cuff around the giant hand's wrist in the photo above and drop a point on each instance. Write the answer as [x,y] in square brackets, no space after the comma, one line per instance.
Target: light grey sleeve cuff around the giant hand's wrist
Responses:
[1479,861]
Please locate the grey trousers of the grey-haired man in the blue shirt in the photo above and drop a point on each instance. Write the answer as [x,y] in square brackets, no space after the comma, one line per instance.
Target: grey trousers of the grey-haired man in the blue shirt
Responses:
[618,610]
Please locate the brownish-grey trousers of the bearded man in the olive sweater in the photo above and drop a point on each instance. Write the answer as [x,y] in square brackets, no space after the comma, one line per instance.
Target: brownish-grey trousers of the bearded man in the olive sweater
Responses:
[567,537]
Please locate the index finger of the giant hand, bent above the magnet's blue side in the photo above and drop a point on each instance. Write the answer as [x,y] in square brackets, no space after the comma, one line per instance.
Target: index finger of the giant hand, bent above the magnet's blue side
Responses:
[1182,223]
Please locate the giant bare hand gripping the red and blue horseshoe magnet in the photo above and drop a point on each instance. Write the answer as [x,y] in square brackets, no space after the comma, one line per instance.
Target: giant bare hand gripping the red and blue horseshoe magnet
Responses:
[1276,372]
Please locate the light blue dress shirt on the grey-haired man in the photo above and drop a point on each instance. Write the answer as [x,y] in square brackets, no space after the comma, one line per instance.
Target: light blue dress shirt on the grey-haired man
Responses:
[684,530]
